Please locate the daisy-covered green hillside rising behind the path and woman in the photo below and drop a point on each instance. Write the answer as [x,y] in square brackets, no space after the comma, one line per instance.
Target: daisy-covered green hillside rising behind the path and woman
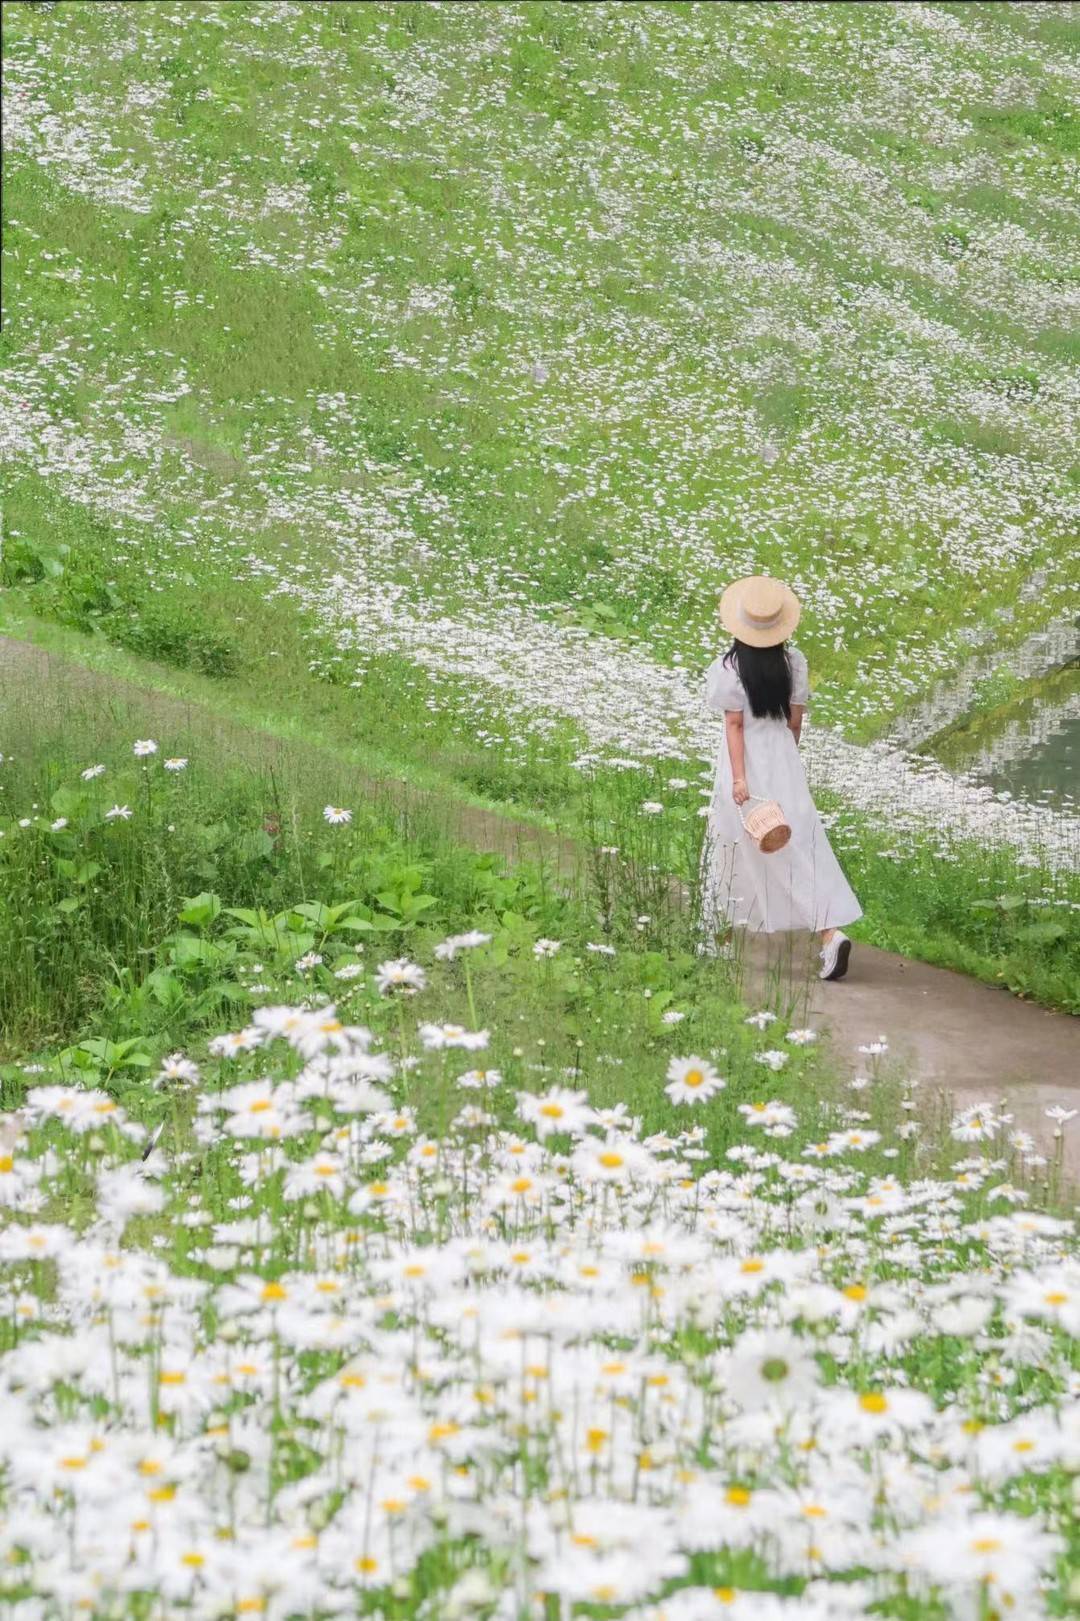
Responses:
[291,315]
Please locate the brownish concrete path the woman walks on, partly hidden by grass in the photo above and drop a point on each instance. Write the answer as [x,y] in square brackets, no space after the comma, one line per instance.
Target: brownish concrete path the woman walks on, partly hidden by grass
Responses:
[962,1038]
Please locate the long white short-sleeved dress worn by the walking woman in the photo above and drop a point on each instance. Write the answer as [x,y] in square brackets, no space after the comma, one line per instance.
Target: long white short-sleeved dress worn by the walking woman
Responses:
[797,887]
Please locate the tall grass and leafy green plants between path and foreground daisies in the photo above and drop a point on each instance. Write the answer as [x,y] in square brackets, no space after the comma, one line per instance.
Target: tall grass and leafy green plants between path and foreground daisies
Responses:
[126,939]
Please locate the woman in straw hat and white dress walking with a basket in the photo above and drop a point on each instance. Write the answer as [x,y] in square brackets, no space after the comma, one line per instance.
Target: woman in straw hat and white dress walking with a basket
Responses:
[761,690]
